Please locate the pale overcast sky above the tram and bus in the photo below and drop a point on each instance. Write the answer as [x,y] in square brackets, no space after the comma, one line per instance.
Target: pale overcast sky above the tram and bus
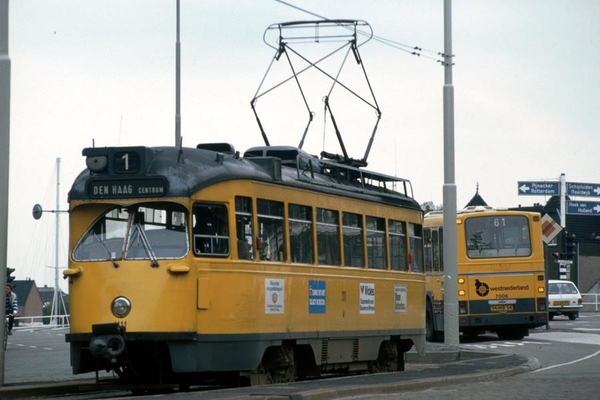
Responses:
[84,72]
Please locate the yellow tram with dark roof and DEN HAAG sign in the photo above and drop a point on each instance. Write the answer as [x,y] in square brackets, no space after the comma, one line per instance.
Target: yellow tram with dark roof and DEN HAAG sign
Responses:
[189,264]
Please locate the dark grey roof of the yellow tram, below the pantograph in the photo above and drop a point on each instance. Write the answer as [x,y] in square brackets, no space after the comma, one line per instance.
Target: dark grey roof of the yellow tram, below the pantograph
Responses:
[187,170]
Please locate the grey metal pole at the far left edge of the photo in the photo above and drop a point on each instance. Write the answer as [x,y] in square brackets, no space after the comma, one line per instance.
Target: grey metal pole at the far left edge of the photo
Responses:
[4,151]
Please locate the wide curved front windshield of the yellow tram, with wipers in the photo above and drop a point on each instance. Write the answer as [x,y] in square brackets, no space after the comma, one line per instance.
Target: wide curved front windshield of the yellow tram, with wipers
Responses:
[139,232]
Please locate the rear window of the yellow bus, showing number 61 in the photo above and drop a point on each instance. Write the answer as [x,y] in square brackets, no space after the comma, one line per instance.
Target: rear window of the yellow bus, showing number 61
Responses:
[497,236]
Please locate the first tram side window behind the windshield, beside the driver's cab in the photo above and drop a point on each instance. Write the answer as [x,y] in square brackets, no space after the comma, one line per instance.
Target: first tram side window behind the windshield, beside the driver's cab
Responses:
[211,230]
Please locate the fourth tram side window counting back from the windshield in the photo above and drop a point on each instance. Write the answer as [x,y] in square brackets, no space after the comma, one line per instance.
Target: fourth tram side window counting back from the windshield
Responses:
[301,242]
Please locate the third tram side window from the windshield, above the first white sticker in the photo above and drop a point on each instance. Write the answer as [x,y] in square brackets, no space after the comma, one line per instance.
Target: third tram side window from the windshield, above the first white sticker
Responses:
[271,246]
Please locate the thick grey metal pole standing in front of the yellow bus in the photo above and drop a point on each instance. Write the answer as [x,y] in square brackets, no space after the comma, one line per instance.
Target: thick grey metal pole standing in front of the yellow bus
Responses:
[451,270]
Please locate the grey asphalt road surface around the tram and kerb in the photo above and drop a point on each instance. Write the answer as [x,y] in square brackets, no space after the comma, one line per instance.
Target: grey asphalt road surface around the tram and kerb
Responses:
[566,362]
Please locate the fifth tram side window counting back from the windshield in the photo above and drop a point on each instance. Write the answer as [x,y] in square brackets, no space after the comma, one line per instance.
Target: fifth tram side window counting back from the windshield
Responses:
[328,237]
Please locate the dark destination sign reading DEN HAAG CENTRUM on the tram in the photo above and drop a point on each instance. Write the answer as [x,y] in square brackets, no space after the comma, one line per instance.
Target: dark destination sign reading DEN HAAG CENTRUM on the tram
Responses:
[114,189]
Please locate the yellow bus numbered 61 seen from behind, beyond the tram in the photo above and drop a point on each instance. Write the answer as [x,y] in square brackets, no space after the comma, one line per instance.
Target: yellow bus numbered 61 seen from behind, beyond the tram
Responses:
[500,272]
